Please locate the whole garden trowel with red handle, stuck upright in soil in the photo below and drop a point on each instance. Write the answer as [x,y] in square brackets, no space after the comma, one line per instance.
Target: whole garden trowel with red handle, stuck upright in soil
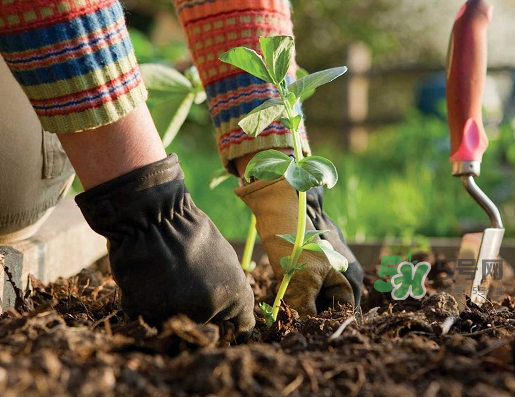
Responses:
[466,75]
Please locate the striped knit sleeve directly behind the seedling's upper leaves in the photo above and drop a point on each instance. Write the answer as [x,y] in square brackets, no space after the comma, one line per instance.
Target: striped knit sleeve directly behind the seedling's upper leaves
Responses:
[215,26]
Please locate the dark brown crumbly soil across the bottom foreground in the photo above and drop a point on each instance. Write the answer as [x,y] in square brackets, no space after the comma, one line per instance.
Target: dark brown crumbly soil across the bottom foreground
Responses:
[70,338]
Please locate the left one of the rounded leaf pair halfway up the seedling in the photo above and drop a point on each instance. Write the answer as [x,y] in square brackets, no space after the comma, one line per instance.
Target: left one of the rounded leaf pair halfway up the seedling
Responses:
[268,165]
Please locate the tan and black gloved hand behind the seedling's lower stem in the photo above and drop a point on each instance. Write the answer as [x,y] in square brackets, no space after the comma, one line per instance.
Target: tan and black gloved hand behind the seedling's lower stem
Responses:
[318,286]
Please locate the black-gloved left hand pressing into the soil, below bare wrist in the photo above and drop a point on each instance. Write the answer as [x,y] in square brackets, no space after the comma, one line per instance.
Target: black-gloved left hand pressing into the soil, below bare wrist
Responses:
[166,255]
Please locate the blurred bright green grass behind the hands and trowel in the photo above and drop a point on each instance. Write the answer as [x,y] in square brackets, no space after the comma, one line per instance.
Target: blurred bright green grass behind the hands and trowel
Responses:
[401,186]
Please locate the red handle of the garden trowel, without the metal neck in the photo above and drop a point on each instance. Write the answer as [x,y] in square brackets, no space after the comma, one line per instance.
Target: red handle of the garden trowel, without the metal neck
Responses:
[466,73]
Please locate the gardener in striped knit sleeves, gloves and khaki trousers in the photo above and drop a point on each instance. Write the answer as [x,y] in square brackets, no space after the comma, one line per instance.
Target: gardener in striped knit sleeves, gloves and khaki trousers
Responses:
[75,63]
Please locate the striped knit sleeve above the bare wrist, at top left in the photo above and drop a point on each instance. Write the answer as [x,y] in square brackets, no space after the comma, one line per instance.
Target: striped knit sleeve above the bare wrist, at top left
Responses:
[73,59]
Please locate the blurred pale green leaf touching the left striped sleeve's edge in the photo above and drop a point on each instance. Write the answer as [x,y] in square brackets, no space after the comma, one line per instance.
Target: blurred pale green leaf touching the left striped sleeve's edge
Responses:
[162,78]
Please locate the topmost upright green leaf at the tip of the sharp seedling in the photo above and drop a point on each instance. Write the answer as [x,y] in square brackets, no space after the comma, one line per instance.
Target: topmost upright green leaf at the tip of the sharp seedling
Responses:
[278,53]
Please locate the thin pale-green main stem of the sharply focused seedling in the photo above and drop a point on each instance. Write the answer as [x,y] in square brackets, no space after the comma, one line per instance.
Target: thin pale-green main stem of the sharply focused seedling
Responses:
[301,215]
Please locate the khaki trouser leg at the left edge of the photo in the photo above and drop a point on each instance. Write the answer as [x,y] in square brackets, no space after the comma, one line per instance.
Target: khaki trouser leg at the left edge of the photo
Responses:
[34,170]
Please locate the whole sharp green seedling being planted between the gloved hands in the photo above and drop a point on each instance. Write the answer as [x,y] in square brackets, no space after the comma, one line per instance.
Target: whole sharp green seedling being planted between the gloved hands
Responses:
[303,173]
